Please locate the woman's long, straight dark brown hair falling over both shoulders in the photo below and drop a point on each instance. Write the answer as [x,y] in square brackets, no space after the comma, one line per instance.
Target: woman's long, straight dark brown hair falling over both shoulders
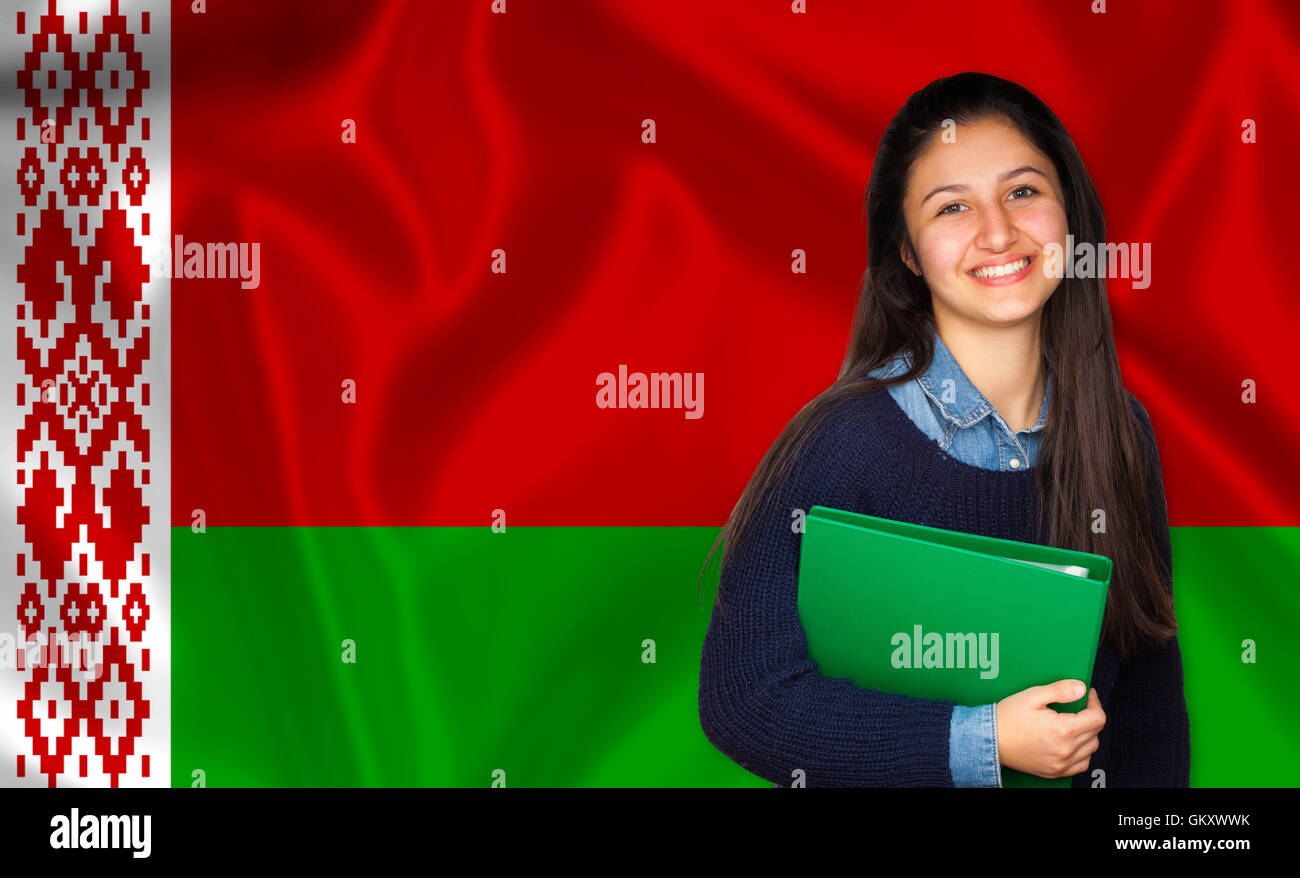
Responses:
[1093,449]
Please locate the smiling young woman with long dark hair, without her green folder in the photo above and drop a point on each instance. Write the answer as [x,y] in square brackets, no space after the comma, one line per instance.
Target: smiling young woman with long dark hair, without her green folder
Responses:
[981,393]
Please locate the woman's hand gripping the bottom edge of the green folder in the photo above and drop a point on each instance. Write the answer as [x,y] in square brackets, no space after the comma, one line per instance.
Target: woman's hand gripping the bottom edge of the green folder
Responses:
[1034,738]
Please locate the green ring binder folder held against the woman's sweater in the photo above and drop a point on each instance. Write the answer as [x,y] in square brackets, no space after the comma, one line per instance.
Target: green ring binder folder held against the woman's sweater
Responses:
[873,594]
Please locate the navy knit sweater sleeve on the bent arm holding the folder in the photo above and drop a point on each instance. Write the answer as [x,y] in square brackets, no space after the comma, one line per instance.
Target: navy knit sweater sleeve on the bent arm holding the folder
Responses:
[762,700]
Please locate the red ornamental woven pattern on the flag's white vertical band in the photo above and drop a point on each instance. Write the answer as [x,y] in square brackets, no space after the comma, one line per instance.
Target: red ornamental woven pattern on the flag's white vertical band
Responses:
[83,341]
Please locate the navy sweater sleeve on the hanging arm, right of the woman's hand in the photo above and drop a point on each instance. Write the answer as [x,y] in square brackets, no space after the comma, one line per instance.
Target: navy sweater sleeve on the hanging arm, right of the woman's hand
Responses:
[1149,707]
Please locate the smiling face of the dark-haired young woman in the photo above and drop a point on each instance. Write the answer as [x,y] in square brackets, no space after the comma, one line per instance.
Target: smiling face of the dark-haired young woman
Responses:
[990,198]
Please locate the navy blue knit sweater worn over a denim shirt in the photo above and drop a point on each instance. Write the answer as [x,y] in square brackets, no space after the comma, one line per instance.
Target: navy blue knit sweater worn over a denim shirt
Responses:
[765,704]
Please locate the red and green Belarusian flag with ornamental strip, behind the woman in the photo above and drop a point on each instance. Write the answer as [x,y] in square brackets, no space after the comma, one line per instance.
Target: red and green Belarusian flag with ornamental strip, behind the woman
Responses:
[359,358]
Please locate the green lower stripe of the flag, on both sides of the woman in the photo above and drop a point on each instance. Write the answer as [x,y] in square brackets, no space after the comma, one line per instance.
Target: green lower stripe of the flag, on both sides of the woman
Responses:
[522,652]
